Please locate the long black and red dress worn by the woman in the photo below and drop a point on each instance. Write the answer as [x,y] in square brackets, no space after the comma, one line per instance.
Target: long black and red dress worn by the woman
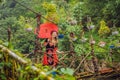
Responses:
[50,56]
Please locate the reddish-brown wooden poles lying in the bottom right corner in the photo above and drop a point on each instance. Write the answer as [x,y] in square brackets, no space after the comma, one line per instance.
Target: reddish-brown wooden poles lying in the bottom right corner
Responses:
[108,71]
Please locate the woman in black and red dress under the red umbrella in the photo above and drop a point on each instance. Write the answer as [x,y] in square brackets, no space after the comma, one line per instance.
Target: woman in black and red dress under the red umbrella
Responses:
[50,57]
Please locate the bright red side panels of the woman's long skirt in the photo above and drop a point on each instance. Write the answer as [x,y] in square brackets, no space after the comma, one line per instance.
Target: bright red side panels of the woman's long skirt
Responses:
[55,58]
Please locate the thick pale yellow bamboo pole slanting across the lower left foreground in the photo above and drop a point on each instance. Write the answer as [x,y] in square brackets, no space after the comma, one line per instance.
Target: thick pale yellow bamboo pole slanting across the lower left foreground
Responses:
[21,60]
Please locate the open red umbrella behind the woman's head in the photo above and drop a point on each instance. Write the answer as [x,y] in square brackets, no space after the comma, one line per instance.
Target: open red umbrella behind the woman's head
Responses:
[46,29]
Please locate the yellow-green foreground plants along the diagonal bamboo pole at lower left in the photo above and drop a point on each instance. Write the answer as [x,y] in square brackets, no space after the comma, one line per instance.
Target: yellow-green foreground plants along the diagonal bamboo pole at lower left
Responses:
[23,72]
